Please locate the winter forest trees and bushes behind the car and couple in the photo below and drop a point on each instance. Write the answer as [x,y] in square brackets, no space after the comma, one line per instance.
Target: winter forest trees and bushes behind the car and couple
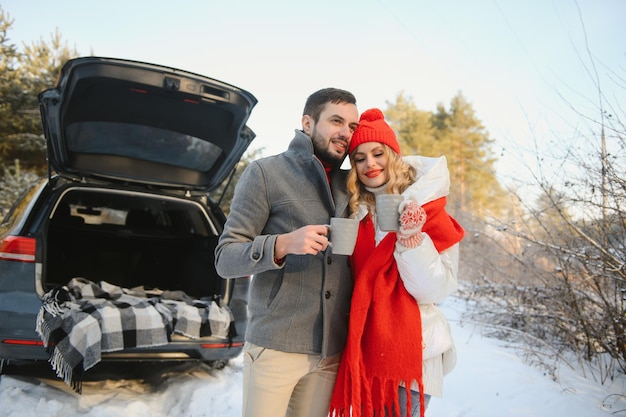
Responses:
[543,262]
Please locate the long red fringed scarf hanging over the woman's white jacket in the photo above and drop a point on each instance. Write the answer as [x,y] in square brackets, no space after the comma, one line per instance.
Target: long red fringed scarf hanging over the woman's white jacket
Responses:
[384,346]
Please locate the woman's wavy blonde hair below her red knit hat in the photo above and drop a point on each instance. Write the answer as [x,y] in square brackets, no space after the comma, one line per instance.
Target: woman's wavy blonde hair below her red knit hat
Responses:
[401,176]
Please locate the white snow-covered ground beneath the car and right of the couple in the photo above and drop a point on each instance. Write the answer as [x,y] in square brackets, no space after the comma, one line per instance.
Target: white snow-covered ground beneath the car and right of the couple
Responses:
[490,380]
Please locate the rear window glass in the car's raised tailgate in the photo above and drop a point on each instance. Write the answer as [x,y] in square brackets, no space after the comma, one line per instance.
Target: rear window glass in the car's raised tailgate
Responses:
[142,142]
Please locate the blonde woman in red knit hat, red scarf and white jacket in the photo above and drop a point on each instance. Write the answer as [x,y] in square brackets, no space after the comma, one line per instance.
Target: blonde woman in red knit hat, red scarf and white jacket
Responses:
[397,338]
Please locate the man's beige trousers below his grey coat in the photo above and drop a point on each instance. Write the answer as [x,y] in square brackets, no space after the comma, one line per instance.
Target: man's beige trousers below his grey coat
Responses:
[277,384]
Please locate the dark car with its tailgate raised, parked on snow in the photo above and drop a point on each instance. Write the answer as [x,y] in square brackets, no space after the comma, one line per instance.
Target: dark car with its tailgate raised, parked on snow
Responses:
[134,152]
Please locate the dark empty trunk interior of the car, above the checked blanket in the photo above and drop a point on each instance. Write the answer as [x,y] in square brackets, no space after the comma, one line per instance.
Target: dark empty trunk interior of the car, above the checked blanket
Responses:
[132,240]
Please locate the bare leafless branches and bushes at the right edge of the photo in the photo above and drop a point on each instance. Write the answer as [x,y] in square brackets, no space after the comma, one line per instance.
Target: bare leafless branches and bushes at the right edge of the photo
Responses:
[556,269]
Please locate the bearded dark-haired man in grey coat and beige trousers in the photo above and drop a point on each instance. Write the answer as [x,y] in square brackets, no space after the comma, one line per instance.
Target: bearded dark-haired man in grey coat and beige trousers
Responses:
[300,292]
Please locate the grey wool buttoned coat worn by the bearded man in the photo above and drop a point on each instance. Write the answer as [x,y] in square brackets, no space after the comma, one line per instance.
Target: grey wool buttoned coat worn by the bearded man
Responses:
[303,305]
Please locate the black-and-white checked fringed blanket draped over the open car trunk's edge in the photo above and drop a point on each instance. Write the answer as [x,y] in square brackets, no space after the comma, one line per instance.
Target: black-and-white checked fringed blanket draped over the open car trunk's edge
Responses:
[81,320]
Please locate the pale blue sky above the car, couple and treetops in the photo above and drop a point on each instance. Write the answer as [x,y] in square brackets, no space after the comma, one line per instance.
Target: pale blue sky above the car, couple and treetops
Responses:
[522,65]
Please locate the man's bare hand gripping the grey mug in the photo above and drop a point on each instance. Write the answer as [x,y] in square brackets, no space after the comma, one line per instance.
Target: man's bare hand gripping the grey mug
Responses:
[307,240]
